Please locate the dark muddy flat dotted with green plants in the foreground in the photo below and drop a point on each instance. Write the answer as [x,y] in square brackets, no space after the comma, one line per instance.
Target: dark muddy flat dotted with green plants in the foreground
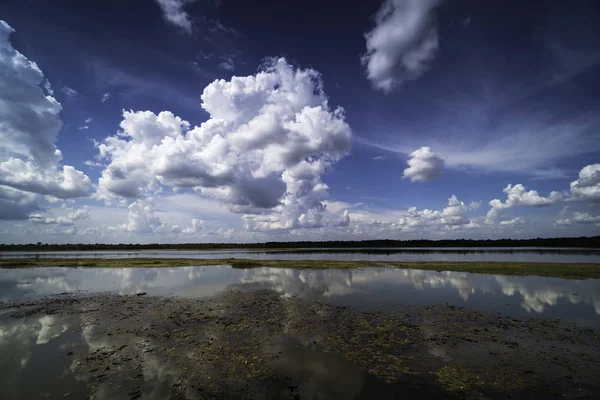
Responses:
[258,344]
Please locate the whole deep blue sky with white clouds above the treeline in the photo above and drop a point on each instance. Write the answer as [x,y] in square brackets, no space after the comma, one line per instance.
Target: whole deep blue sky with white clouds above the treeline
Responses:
[248,121]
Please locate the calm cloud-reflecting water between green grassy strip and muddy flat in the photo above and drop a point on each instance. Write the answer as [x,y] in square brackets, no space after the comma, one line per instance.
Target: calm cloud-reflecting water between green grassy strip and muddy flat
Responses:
[374,288]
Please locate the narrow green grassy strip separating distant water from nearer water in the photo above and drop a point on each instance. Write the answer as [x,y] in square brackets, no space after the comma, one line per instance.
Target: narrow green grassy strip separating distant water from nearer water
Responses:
[544,269]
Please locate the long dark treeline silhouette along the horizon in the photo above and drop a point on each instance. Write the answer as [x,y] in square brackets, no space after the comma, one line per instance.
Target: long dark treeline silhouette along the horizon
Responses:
[584,241]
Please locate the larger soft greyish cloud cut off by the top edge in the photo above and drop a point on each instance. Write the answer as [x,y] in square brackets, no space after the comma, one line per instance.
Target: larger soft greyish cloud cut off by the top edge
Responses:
[403,42]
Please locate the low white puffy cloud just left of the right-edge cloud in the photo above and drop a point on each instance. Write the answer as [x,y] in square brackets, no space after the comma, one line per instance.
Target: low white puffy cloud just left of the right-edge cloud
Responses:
[519,196]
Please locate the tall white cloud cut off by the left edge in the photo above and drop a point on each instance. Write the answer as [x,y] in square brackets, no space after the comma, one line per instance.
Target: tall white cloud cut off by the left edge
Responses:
[29,125]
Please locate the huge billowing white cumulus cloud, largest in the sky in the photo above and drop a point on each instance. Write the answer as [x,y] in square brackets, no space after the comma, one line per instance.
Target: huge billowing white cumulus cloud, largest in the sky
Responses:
[268,140]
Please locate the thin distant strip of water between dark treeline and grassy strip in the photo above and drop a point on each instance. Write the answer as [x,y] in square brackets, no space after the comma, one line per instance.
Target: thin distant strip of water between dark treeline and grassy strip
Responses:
[520,254]
